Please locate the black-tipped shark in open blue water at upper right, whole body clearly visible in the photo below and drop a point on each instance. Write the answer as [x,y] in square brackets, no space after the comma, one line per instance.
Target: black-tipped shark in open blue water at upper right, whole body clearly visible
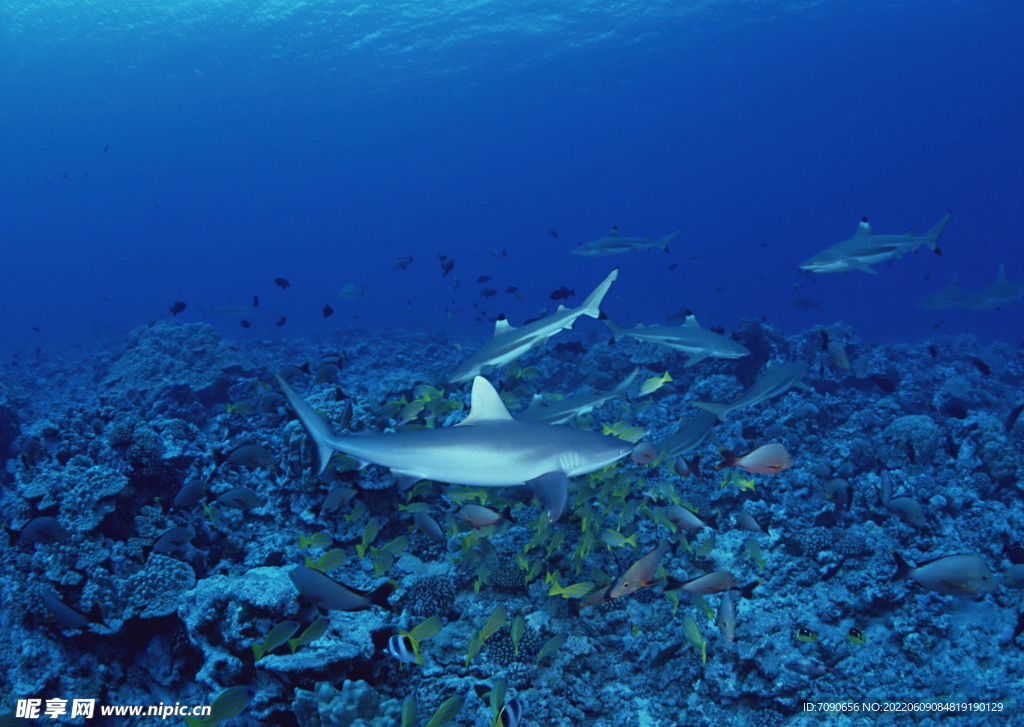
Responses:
[866,249]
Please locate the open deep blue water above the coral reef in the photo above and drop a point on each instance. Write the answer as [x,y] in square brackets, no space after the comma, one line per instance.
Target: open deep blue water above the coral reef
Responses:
[245,148]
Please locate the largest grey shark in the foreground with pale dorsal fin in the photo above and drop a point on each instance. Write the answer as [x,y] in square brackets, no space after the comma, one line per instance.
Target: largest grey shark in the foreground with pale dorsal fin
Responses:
[488,449]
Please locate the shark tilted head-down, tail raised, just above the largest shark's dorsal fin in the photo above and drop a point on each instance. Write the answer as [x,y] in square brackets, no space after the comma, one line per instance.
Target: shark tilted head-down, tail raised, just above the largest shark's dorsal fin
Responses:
[510,344]
